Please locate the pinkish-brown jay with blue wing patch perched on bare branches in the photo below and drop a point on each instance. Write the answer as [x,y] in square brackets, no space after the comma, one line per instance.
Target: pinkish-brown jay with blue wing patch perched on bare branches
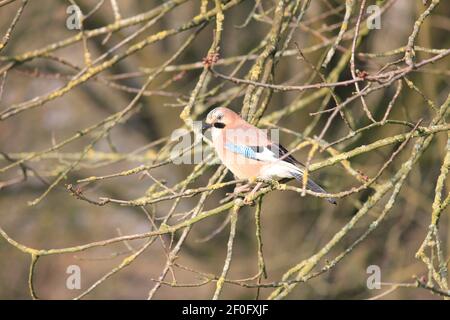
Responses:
[249,153]
